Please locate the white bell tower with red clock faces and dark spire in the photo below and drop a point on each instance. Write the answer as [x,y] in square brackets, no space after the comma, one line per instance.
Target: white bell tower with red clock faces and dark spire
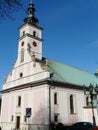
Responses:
[30,40]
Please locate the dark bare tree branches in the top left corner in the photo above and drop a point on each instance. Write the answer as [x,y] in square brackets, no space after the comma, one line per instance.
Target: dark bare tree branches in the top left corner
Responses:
[8,7]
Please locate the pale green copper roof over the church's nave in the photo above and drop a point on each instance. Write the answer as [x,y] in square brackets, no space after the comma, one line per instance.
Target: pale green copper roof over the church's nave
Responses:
[69,74]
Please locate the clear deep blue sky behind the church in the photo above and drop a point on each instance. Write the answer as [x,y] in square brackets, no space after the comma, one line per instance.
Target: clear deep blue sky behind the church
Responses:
[70,33]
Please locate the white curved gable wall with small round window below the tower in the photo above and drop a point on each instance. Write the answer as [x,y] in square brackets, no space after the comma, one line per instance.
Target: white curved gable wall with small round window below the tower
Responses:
[30,74]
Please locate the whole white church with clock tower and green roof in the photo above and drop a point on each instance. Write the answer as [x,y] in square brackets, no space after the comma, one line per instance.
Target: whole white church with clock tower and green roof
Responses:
[40,91]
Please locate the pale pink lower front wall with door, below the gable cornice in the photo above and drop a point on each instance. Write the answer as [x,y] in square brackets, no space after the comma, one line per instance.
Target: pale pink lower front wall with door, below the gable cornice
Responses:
[32,97]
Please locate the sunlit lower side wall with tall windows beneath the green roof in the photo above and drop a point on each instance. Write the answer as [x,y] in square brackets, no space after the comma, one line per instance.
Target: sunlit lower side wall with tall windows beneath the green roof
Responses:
[63,106]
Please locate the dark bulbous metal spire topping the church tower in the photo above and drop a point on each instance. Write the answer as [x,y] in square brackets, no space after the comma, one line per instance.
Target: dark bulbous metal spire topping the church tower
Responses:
[31,17]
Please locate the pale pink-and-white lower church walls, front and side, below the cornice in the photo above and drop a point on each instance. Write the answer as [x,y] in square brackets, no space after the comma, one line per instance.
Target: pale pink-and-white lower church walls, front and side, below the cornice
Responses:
[37,98]
